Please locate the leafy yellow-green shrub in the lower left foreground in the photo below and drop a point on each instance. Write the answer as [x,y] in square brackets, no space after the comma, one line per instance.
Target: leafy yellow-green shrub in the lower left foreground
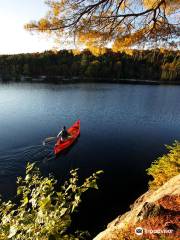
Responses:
[42,213]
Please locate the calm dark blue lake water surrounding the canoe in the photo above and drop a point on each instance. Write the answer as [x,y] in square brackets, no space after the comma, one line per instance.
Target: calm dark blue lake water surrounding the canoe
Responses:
[123,129]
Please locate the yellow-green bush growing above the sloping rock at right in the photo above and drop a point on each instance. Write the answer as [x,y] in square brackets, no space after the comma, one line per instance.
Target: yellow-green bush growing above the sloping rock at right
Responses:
[165,167]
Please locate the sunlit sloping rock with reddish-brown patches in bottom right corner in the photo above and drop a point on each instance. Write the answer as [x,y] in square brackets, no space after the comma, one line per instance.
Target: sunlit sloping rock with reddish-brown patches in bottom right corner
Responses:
[154,215]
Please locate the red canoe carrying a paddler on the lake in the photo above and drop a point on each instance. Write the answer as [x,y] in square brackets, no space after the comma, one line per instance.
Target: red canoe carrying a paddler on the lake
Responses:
[74,131]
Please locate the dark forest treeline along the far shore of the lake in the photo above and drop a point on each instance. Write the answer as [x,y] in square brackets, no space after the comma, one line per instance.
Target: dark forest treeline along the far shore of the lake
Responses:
[66,65]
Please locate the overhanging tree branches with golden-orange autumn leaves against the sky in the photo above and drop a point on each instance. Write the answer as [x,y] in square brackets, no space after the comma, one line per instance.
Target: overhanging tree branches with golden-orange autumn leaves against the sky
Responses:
[121,23]
